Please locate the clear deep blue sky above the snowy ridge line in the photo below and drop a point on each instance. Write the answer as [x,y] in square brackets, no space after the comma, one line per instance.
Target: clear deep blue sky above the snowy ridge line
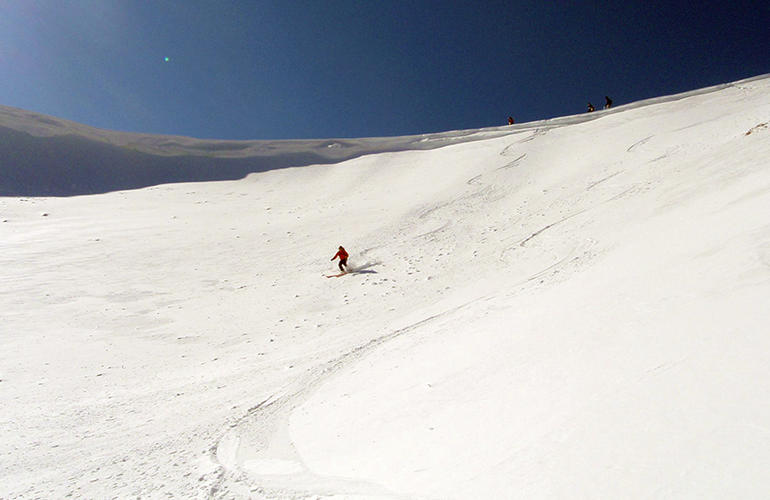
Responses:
[289,69]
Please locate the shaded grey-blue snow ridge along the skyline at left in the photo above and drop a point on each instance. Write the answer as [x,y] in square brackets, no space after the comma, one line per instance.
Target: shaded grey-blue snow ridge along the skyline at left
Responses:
[46,156]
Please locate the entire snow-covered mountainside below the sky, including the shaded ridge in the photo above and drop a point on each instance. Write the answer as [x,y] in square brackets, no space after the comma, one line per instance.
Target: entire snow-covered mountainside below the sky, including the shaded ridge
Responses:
[573,308]
